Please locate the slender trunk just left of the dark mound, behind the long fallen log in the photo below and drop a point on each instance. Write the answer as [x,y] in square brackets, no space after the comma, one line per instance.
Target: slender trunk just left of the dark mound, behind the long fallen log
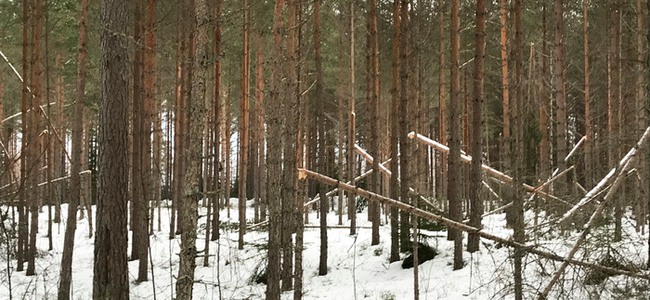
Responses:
[395,134]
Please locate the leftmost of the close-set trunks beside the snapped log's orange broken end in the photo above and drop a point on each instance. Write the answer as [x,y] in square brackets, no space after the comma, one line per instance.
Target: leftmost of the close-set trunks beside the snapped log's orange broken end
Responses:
[274,156]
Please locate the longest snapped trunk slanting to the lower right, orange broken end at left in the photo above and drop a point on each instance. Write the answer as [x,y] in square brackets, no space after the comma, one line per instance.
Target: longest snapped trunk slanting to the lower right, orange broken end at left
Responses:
[303,174]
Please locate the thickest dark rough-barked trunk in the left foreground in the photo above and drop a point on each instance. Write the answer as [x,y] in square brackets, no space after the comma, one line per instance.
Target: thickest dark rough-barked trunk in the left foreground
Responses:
[110,280]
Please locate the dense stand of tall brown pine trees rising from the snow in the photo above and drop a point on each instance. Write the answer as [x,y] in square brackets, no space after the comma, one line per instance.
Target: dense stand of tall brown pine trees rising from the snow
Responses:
[182,90]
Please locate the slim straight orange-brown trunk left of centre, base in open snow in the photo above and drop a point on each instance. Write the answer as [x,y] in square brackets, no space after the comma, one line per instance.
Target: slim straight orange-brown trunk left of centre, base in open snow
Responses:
[243,125]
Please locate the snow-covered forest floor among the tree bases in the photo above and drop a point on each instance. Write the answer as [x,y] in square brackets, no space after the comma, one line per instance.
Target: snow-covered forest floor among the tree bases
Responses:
[356,269]
